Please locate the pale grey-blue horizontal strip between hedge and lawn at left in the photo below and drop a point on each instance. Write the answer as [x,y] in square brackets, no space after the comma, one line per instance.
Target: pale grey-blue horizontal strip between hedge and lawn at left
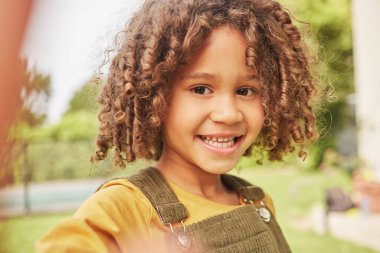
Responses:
[47,197]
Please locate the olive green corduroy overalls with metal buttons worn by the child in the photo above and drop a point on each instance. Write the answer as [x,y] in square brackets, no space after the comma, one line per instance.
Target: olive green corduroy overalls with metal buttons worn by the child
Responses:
[246,229]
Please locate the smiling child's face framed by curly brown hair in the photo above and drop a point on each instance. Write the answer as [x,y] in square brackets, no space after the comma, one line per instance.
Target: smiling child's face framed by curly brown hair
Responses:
[215,109]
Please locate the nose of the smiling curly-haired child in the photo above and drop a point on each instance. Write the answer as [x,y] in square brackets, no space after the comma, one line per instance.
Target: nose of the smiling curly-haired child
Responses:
[226,111]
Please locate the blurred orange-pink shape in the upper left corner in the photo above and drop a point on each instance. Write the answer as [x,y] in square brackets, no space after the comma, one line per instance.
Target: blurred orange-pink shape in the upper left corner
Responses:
[13,21]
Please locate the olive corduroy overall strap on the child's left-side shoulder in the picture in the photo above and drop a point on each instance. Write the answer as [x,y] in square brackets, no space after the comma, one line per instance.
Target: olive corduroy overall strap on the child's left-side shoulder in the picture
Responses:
[154,186]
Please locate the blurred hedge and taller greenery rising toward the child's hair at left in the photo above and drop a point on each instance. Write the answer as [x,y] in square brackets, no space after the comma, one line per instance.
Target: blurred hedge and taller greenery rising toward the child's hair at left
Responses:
[61,150]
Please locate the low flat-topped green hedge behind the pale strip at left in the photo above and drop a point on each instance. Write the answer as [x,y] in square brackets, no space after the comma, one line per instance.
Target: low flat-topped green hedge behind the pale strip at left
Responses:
[53,160]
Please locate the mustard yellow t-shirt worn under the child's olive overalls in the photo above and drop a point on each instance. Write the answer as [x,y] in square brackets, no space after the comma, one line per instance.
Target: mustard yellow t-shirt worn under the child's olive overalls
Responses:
[119,218]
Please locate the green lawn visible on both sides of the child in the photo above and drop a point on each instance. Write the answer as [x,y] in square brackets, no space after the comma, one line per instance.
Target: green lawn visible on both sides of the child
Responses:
[294,193]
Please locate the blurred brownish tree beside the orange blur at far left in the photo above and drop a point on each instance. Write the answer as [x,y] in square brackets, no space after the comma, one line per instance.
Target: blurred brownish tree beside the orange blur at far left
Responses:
[35,92]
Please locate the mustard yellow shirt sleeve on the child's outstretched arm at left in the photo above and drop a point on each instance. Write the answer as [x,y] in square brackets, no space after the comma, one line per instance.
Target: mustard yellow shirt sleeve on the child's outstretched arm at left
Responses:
[113,219]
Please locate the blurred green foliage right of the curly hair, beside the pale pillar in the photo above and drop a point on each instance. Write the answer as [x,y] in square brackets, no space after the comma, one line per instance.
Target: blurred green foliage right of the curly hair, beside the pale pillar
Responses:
[330,26]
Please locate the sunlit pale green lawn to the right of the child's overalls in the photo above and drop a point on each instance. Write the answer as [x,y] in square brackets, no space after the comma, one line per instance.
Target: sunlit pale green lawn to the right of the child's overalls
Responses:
[294,194]
